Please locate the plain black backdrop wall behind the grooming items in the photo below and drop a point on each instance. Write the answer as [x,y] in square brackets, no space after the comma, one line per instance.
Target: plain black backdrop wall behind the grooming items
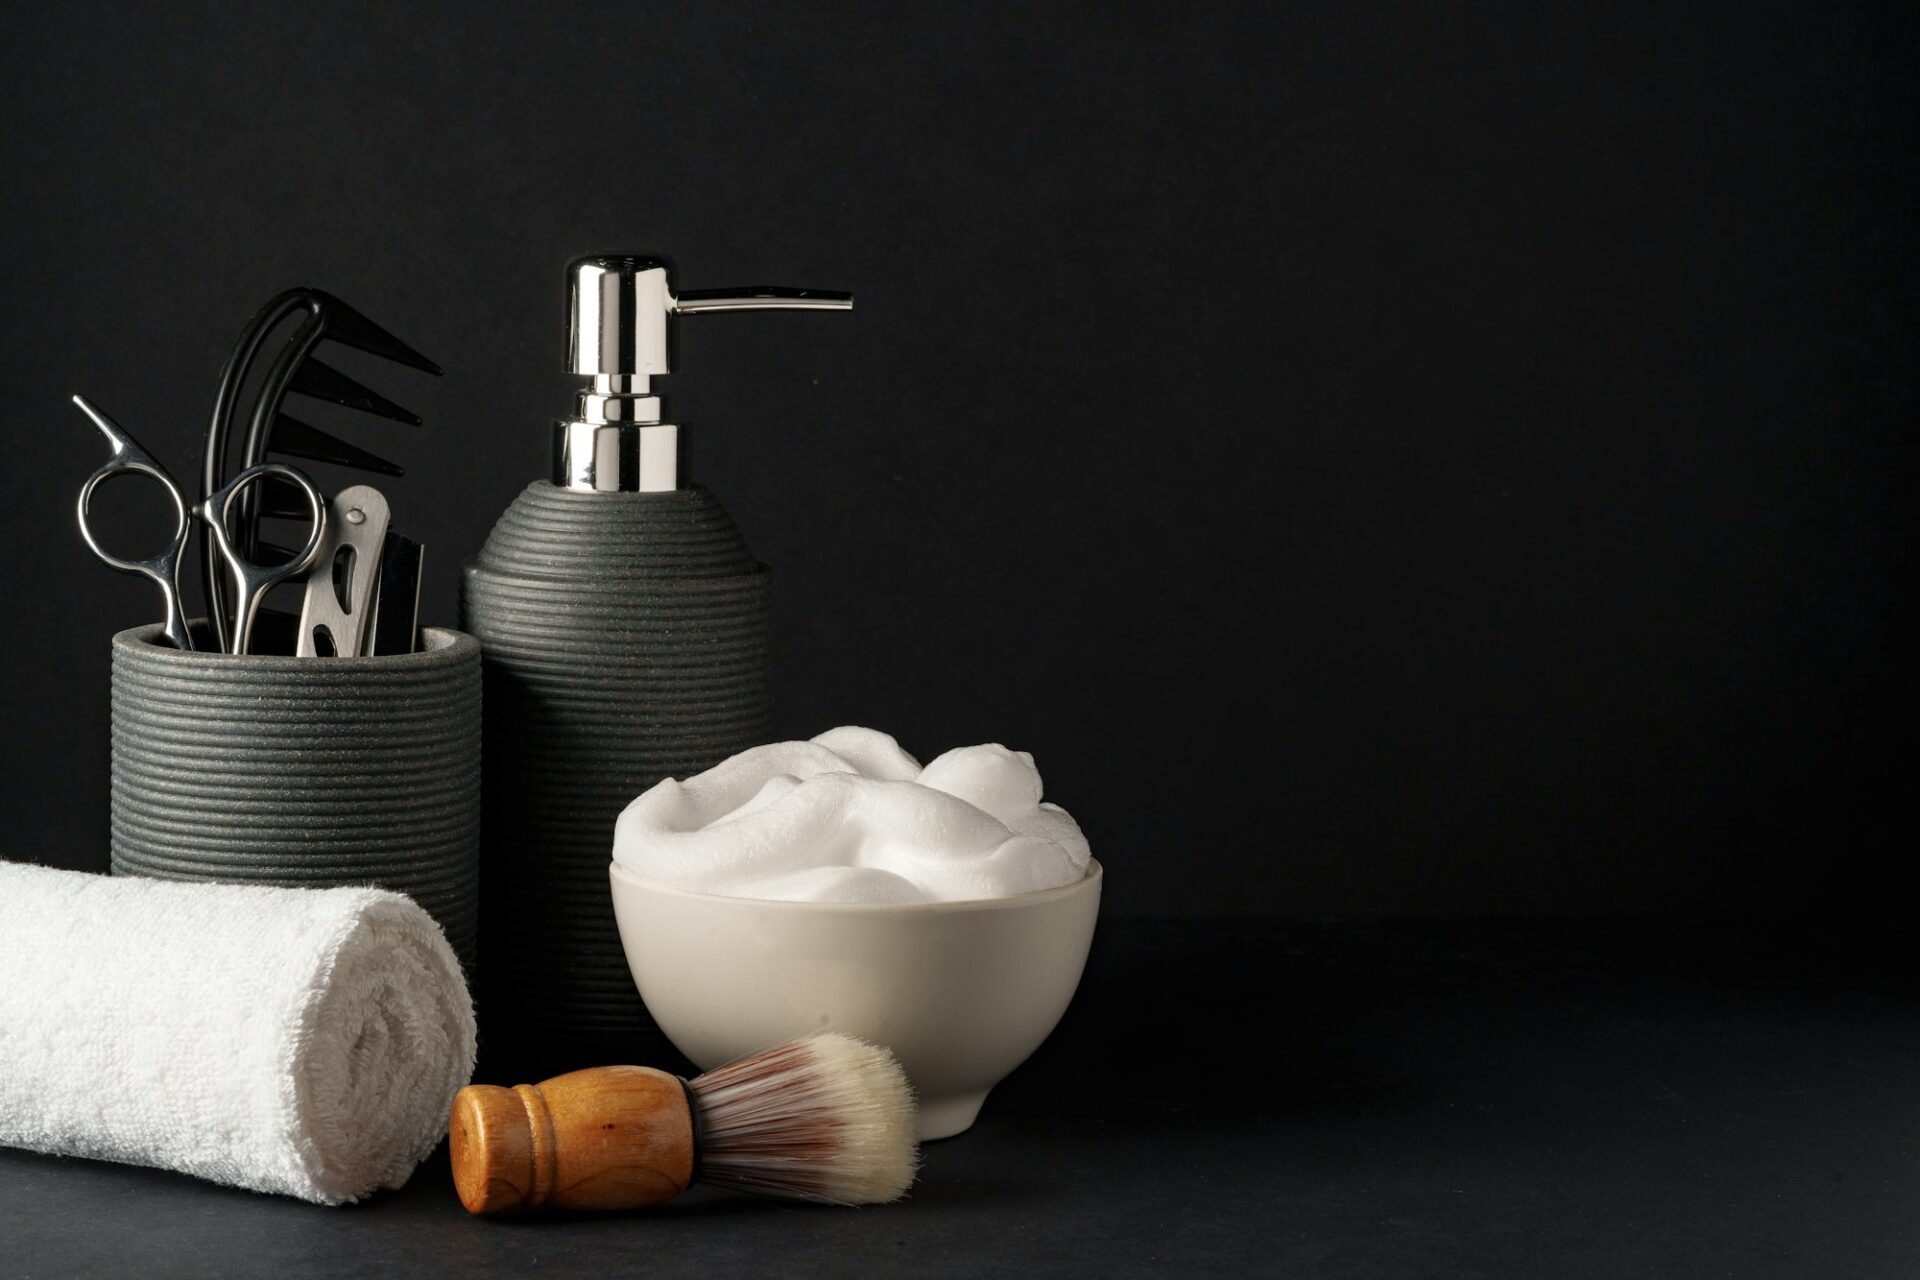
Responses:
[1378,458]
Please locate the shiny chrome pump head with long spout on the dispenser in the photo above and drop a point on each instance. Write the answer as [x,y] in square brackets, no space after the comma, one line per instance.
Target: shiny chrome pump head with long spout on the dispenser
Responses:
[623,339]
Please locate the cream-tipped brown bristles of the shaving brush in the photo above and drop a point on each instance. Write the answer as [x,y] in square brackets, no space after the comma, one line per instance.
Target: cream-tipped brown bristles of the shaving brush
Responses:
[827,1120]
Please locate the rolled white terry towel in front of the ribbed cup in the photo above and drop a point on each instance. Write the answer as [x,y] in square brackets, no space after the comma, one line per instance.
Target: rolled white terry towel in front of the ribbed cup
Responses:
[297,1041]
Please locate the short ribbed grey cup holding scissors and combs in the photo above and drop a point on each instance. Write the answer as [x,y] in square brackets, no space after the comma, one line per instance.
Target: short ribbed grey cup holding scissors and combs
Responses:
[308,772]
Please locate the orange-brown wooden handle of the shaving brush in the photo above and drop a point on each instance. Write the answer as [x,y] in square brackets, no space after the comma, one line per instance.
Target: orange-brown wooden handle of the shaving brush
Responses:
[598,1139]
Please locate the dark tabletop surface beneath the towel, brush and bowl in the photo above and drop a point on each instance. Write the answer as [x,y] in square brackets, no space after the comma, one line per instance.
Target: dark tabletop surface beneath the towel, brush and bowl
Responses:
[1260,1099]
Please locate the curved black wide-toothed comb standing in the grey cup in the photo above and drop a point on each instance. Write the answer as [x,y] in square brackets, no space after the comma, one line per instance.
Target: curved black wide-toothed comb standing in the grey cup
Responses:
[270,431]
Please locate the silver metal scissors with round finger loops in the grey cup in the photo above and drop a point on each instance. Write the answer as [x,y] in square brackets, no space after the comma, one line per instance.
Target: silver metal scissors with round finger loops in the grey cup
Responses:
[251,582]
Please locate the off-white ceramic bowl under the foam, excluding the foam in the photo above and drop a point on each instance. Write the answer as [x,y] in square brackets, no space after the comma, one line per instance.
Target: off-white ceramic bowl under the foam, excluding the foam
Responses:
[961,991]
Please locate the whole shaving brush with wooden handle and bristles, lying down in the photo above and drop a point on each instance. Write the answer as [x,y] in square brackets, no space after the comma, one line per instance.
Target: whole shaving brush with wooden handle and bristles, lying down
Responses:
[827,1120]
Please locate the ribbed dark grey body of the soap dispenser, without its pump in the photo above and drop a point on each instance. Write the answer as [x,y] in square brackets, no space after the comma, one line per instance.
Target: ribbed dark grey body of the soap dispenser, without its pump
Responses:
[627,640]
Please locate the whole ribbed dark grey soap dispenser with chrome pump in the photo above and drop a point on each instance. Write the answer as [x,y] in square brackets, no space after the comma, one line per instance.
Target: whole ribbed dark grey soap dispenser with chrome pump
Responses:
[625,632]
